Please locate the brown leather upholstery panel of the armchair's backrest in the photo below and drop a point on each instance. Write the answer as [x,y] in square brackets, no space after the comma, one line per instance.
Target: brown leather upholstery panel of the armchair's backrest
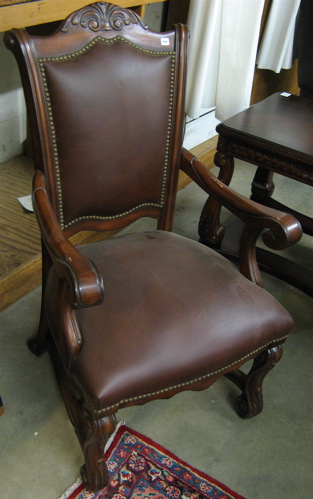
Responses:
[76,92]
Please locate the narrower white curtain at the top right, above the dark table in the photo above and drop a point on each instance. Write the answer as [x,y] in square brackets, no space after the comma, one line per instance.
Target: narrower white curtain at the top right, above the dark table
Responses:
[276,49]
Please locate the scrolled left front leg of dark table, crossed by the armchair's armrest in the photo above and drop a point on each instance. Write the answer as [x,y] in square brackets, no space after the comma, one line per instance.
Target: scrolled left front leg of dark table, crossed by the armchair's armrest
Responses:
[211,231]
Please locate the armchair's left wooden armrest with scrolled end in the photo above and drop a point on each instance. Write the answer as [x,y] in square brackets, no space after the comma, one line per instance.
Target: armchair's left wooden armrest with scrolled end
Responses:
[83,279]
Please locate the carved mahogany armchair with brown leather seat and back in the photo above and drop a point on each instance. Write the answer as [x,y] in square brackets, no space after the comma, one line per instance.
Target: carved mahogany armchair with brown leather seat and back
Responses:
[142,316]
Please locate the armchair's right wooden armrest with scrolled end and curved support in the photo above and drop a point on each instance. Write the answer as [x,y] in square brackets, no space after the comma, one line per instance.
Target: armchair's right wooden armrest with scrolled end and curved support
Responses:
[282,229]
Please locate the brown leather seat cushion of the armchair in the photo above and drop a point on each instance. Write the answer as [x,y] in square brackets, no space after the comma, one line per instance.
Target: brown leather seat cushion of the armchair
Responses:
[174,311]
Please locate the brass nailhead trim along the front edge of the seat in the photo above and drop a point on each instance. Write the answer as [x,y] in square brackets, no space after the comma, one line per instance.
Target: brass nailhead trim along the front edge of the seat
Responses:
[124,402]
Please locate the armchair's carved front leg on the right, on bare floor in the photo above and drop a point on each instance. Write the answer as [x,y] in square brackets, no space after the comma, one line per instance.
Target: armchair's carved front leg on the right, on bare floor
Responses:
[250,402]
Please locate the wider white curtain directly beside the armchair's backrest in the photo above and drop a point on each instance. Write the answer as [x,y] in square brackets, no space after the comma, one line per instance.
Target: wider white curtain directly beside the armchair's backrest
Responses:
[222,53]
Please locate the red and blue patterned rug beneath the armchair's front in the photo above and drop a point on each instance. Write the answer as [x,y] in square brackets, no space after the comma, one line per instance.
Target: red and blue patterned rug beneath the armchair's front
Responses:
[141,469]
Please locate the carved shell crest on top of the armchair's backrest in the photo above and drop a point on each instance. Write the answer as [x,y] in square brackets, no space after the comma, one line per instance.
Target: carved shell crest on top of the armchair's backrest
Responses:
[102,16]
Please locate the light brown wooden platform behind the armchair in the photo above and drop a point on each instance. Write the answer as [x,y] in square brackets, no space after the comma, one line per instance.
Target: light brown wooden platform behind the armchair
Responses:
[20,261]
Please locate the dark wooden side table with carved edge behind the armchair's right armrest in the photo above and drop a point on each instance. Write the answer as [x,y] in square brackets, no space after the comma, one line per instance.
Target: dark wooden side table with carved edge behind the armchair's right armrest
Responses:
[276,135]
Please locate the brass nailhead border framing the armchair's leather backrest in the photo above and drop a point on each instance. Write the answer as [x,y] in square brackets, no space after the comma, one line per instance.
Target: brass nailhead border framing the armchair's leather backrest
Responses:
[70,56]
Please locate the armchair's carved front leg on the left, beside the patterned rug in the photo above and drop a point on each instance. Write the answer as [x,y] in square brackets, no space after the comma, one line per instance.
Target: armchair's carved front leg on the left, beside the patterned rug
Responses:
[94,472]
